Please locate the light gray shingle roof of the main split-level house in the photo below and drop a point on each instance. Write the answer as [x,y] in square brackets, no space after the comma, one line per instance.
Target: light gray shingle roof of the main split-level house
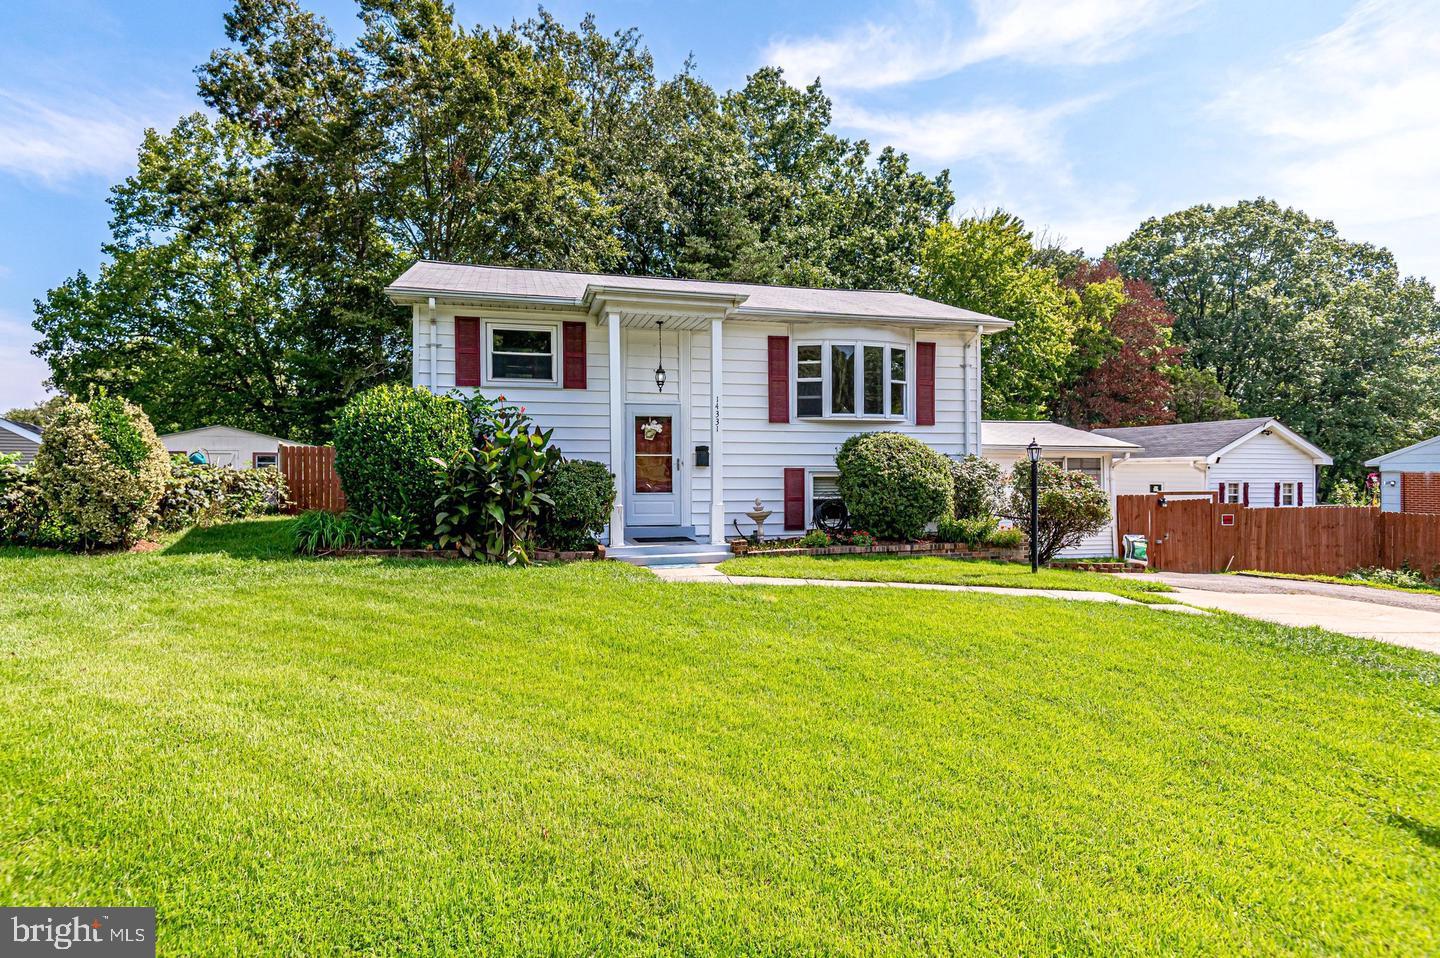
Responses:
[428,277]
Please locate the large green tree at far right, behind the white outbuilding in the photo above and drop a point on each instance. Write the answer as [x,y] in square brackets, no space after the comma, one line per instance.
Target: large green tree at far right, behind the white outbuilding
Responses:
[1298,323]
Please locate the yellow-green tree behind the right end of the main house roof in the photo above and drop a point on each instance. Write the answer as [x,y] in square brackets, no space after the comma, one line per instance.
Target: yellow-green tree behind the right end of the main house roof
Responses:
[986,264]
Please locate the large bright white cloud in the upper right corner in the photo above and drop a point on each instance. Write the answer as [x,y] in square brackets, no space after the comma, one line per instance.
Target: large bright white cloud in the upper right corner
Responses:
[1349,127]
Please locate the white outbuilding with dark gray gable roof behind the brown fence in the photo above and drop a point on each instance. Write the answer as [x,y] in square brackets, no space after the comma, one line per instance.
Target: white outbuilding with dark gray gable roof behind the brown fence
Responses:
[1259,463]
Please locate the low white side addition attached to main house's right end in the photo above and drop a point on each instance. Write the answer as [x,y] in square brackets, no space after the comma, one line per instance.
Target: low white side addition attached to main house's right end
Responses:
[1072,450]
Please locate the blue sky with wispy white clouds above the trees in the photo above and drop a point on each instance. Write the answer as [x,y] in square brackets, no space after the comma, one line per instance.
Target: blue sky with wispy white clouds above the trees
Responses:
[1081,116]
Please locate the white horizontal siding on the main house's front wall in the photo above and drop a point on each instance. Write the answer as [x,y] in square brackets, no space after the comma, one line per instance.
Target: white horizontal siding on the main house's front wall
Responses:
[757,452]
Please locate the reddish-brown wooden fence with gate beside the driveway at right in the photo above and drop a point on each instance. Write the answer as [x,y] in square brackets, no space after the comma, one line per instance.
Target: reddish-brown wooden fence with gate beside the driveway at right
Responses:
[1194,534]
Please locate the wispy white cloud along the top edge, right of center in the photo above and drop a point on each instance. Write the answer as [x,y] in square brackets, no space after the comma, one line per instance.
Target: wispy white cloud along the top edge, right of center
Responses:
[925,44]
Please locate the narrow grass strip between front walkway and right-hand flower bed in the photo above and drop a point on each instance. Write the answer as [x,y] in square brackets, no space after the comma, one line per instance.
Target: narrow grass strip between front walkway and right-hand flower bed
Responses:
[938,571]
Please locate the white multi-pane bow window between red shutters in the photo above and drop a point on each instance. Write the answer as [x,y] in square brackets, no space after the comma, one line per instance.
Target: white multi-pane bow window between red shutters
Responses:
[863,381]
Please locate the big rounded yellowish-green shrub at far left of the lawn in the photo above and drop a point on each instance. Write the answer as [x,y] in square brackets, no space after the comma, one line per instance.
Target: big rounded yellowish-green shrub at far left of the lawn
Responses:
[102,472]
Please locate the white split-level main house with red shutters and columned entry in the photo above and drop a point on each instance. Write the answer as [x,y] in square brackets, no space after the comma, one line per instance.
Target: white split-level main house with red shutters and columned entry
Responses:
[761,385]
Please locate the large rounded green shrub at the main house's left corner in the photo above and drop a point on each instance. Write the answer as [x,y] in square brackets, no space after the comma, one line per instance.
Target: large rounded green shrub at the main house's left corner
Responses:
[385,443]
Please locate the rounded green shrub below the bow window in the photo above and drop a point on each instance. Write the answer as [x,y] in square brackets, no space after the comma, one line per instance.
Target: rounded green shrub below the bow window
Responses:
[894,485]
